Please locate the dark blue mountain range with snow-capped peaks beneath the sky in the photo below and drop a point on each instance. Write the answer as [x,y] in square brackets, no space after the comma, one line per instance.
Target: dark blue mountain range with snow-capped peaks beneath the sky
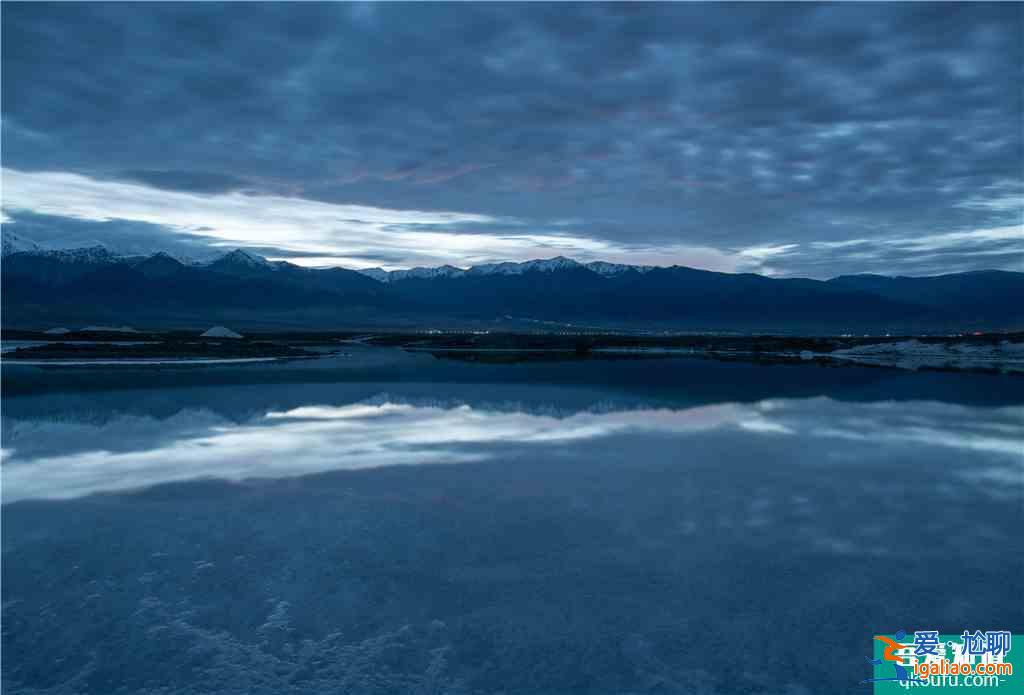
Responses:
[42,288]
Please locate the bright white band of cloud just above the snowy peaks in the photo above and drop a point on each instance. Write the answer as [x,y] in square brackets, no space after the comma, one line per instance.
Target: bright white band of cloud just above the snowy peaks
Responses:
[62,209]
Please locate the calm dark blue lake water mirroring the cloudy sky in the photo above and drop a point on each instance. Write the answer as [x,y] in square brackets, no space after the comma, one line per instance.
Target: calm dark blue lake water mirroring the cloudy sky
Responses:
[429,528]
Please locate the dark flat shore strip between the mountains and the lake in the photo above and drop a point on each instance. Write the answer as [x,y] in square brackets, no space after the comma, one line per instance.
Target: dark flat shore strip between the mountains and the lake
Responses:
[987,353]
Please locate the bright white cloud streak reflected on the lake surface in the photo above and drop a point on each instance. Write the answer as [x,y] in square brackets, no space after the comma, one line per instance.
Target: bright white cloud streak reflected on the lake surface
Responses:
[69,453]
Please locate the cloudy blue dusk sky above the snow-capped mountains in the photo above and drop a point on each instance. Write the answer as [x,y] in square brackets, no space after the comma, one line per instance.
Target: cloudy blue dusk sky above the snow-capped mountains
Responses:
[789,140]
